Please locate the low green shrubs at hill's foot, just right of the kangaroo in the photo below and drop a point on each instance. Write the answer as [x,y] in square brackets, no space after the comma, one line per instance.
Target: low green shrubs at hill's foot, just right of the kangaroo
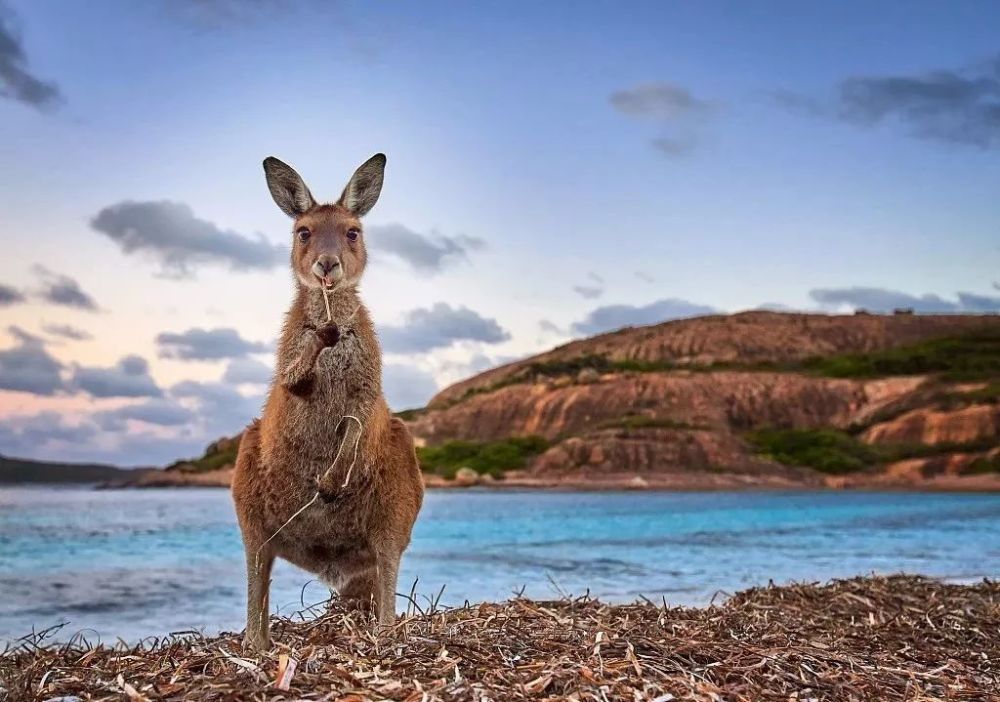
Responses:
[492,457]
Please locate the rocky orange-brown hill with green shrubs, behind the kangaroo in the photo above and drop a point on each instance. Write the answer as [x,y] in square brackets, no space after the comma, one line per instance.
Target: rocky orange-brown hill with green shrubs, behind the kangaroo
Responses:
[758,399]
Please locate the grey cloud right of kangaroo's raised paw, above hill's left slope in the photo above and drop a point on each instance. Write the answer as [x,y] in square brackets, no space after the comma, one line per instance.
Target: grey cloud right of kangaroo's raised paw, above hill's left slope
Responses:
[425,329]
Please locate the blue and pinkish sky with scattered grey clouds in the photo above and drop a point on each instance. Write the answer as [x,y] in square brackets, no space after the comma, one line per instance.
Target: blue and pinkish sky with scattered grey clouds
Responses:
[555,170]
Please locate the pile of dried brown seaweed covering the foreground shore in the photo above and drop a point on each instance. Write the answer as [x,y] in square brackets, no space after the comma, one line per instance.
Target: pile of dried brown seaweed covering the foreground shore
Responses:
[897,638]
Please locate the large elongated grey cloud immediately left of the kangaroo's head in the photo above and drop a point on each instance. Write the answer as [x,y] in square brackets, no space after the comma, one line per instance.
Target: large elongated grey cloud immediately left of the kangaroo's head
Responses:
[170,234]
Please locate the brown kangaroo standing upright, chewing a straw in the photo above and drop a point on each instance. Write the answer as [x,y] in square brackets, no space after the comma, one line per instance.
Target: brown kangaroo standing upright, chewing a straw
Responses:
[327,478]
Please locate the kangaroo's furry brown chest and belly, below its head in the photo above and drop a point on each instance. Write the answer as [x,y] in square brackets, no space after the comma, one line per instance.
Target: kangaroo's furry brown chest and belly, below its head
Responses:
[330,428]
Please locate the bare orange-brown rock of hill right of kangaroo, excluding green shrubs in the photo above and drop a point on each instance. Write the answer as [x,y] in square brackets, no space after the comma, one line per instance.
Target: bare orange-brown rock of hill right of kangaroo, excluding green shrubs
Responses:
[672,405]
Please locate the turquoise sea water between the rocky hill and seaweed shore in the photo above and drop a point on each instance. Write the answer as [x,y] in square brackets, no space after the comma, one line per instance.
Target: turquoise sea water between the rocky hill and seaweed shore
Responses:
[136,563]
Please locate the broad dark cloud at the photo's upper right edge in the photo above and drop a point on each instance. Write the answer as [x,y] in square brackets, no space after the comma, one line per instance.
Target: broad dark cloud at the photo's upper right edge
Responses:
[957,106]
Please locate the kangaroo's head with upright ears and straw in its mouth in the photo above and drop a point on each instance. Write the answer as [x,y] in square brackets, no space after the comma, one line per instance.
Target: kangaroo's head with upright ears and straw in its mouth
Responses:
[328,246]
